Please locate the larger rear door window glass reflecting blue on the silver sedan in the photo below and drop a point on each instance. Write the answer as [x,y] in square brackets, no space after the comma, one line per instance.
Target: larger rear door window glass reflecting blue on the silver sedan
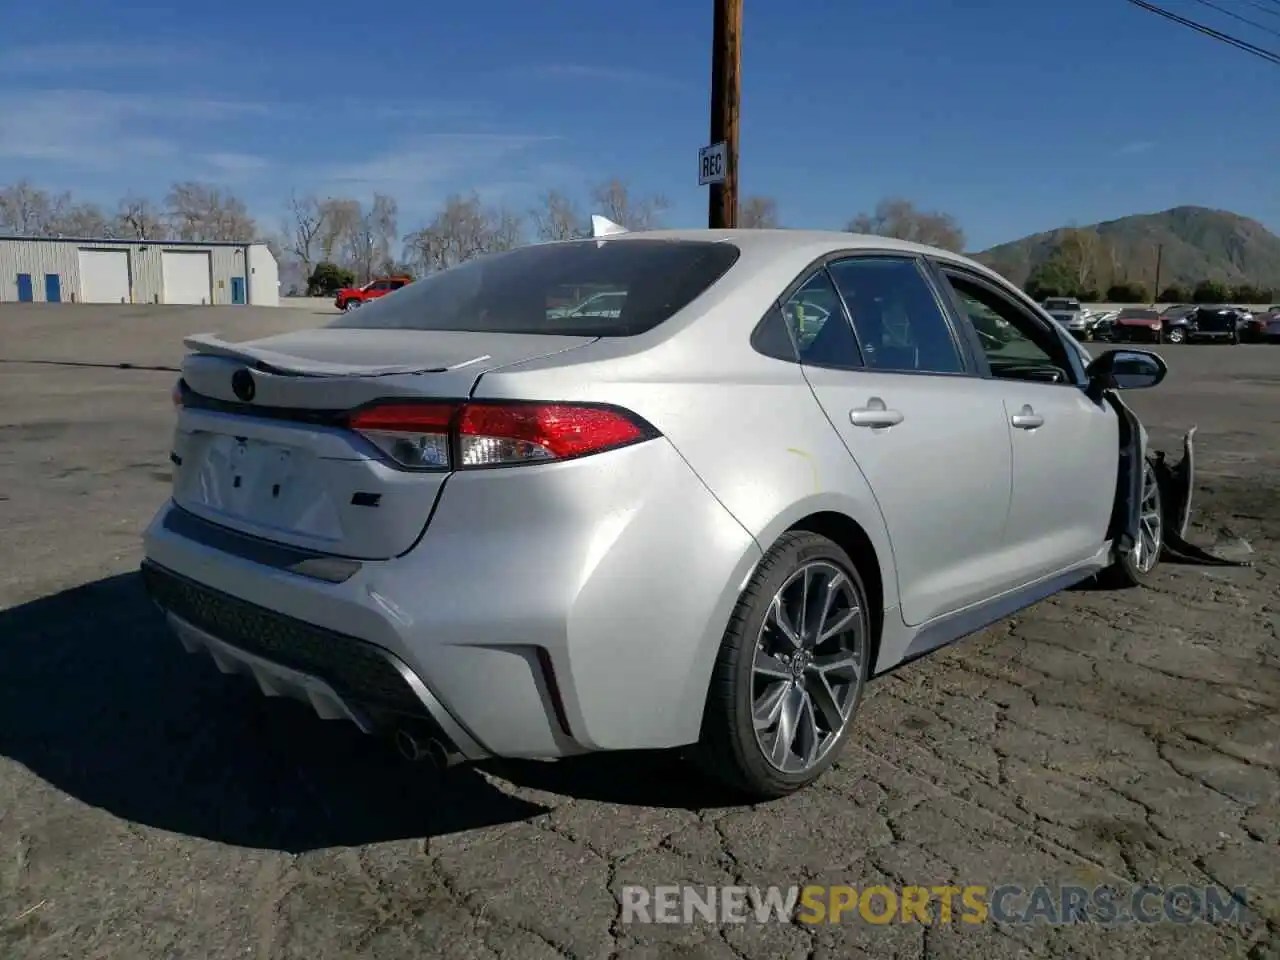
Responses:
[899,322]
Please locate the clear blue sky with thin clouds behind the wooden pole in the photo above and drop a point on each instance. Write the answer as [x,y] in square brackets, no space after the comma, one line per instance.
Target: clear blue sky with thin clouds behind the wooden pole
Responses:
[1016,116]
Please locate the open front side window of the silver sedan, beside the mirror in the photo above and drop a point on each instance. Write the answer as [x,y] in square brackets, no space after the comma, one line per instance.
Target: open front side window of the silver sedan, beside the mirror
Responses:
[1017,348]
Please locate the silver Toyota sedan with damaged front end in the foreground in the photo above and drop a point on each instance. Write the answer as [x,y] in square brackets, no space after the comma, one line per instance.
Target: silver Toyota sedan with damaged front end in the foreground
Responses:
[789,464]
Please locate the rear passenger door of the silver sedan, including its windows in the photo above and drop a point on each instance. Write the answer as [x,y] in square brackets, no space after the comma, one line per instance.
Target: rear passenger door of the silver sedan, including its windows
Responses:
[930,437]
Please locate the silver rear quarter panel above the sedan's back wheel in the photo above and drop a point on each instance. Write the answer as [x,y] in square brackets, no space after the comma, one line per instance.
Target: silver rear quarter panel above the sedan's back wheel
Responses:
[747,424]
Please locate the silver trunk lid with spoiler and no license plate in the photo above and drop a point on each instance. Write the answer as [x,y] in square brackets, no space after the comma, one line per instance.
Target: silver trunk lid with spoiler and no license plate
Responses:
[260,446]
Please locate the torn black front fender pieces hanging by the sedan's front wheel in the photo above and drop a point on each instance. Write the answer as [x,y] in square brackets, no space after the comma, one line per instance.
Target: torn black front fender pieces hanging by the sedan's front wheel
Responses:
[1177,487]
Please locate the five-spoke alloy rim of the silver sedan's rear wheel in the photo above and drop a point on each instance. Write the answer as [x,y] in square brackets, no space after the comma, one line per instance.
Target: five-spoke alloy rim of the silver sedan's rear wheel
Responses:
[807,676]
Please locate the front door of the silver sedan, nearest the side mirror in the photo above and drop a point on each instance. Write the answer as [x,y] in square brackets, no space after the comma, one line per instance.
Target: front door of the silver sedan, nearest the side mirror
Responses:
[1066,446]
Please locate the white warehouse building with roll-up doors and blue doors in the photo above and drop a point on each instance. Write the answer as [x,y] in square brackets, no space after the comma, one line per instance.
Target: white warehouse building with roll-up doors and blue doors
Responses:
[138,272]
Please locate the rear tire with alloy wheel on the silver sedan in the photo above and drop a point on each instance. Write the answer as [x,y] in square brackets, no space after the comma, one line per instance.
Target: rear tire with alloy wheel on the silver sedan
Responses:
[732,749]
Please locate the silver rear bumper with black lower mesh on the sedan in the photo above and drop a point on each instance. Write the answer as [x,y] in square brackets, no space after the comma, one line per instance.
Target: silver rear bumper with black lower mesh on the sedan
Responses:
[547,611]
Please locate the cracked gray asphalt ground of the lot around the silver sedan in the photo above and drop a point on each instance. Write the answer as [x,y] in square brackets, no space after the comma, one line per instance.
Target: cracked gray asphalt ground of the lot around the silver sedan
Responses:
[153,808]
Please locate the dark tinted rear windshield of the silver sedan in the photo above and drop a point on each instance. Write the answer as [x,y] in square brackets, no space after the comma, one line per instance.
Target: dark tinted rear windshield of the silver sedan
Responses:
[589,289]
